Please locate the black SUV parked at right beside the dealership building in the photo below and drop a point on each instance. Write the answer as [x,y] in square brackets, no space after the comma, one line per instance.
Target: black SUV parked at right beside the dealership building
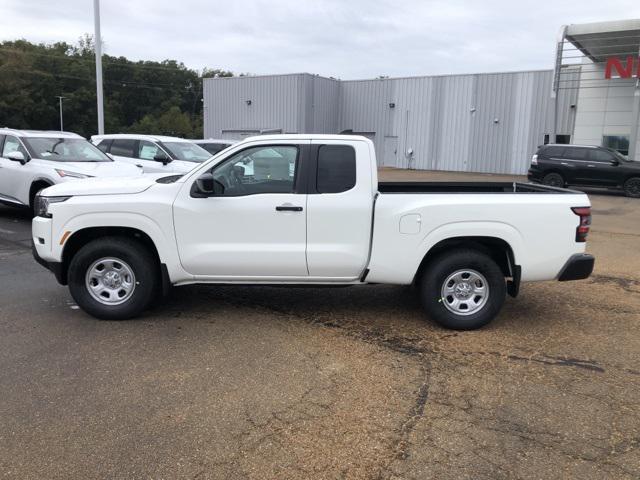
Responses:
[587,166]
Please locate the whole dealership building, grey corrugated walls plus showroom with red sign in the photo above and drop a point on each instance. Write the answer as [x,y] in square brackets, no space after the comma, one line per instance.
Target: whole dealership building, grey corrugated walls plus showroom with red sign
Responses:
[485,122]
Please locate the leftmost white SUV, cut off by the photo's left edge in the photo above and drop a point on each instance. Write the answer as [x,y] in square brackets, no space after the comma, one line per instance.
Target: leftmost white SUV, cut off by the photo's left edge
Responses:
[33,160]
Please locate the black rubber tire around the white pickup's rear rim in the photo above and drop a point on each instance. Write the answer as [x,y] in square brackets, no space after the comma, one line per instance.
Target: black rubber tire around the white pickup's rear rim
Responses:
[446,264]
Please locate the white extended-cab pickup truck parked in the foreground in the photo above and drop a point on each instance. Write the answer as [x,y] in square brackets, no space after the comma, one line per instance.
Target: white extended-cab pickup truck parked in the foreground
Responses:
[308,209]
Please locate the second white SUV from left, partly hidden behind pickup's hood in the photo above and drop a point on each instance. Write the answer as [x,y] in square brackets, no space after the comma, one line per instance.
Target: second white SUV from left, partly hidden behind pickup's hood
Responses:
[154,153]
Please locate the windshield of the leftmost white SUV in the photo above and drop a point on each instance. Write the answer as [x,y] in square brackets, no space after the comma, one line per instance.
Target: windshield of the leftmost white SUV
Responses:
[65,149]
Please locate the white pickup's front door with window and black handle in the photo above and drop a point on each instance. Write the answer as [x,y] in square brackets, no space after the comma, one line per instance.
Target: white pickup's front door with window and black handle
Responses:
[254,226]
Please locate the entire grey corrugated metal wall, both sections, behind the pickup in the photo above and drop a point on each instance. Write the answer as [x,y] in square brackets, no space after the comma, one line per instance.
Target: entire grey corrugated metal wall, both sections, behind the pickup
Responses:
[477,123]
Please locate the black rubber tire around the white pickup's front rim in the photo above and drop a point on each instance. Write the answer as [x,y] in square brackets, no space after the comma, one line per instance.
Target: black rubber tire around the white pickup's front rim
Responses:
[135,256]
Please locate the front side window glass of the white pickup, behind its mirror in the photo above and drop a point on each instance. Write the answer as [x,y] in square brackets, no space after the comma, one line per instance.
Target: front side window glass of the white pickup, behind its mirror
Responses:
[265,169]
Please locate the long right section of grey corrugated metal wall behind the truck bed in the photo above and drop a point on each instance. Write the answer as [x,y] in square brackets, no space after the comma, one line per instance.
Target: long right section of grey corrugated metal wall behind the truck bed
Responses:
[477,123]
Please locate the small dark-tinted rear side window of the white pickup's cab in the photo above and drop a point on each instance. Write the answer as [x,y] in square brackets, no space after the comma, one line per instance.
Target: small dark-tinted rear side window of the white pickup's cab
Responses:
[336,168]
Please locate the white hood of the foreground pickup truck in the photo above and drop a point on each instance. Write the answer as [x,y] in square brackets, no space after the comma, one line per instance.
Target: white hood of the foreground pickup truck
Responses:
[104,186]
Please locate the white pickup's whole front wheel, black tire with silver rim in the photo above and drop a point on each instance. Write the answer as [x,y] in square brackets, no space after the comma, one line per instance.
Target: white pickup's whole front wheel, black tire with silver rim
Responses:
[113,278]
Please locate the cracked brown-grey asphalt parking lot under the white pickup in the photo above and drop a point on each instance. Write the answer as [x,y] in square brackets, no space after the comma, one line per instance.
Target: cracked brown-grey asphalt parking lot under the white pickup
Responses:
[256,382]
